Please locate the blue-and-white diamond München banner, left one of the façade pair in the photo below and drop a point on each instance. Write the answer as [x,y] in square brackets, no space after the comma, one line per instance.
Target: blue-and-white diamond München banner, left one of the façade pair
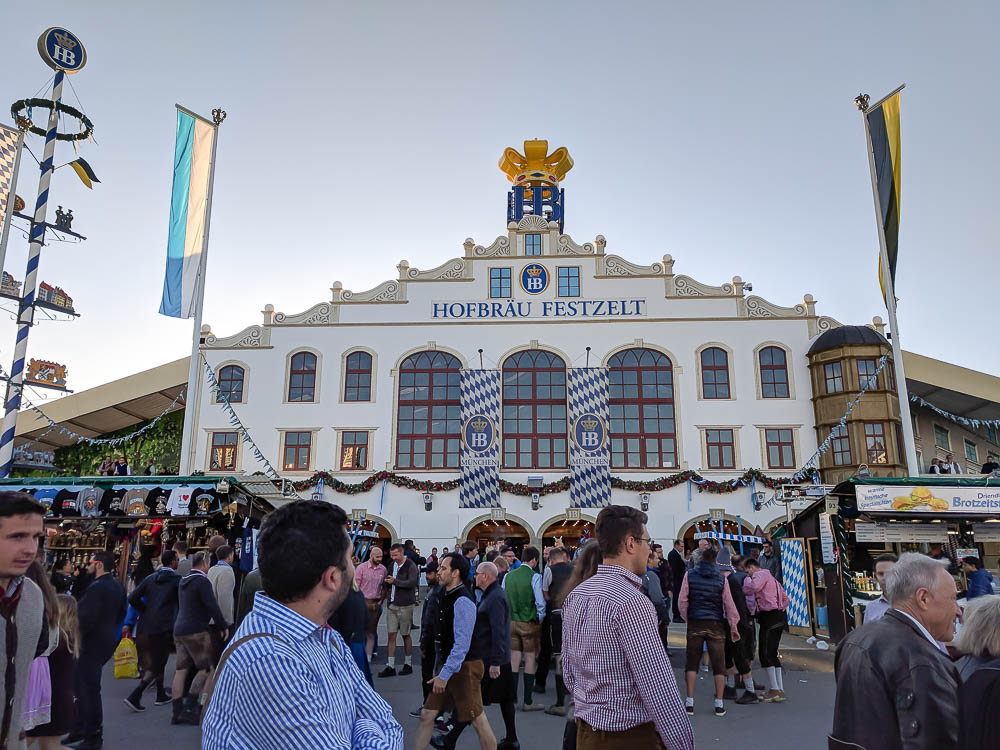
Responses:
[480,456]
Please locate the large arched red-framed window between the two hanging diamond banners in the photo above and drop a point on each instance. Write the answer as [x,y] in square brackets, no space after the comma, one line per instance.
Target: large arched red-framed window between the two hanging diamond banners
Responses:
[534,411]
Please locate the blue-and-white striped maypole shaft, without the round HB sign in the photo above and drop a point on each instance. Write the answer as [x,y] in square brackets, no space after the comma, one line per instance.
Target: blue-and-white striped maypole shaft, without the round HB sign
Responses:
[26,314]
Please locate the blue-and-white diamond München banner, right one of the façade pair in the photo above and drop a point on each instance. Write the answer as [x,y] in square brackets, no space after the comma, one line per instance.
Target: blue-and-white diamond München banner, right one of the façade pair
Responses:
[589,452]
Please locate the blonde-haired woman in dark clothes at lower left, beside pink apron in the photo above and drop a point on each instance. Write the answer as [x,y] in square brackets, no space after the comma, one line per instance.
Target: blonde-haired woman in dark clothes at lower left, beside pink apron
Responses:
[62,669]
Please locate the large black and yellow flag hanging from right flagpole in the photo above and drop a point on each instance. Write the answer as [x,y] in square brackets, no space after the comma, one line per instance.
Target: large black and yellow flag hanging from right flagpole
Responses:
[883,130]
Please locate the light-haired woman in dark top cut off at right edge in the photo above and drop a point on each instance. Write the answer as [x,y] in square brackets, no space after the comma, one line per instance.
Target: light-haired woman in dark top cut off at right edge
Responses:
[979,694]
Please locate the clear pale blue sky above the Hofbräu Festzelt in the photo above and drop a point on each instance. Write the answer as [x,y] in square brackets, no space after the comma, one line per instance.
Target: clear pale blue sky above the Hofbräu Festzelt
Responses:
[362,133]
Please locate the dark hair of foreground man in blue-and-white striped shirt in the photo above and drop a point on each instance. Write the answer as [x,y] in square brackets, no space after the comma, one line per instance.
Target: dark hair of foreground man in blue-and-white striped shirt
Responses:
[296,545]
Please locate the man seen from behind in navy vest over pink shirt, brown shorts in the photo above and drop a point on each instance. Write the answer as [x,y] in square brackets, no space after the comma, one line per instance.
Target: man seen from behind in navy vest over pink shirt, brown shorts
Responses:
[707,606]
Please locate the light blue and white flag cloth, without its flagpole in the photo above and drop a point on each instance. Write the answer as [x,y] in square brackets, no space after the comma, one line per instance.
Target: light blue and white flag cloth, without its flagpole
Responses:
[190,205]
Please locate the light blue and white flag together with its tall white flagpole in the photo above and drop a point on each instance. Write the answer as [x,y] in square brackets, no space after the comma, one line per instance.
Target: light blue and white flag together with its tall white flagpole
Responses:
[187,245]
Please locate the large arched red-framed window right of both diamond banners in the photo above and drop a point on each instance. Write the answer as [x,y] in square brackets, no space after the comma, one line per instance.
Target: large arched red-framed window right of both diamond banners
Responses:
[643,432]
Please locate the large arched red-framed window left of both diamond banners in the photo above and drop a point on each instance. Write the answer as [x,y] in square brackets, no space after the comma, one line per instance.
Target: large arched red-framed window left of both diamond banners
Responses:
[429,412]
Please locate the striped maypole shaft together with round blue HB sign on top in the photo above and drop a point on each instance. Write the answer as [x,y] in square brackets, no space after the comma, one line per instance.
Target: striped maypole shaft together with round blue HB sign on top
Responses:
[64,53]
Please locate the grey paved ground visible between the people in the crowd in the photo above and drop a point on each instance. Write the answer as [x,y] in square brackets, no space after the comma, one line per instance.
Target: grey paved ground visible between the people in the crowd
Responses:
[800,723]
